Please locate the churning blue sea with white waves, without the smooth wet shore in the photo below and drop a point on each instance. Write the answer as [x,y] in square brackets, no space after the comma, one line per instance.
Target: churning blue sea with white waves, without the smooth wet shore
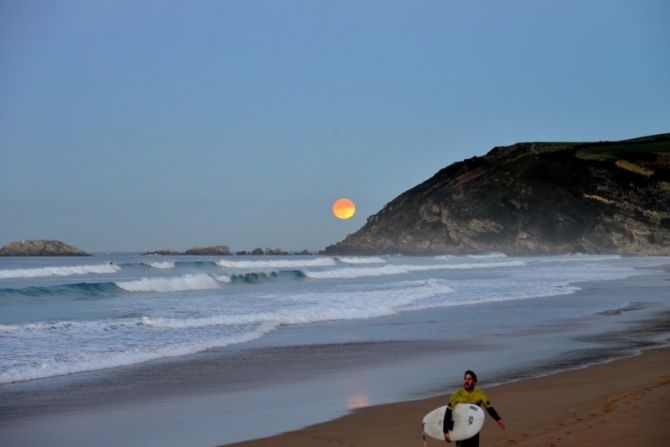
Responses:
[63,316]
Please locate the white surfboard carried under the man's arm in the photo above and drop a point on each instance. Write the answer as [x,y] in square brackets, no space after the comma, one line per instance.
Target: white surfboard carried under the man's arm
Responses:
[468,421]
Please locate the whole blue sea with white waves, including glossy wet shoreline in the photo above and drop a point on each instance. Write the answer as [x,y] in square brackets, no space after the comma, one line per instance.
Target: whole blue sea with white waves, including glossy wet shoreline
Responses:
[129,349]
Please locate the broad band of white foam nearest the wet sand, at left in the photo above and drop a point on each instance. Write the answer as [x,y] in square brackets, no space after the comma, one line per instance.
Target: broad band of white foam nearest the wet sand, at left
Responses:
[226,329]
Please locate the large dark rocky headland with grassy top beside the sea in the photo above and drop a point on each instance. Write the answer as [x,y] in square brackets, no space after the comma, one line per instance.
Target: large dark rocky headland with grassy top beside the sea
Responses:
[533,198]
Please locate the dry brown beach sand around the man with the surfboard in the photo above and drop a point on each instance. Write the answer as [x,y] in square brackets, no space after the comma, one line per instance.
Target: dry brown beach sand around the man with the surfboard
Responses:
[622,403]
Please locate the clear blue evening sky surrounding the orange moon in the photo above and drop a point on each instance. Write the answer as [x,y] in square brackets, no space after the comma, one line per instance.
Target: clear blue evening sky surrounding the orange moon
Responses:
[140,125]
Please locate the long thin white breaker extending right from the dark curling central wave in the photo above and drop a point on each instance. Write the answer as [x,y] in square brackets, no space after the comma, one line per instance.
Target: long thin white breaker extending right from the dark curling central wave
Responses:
[360,272]
